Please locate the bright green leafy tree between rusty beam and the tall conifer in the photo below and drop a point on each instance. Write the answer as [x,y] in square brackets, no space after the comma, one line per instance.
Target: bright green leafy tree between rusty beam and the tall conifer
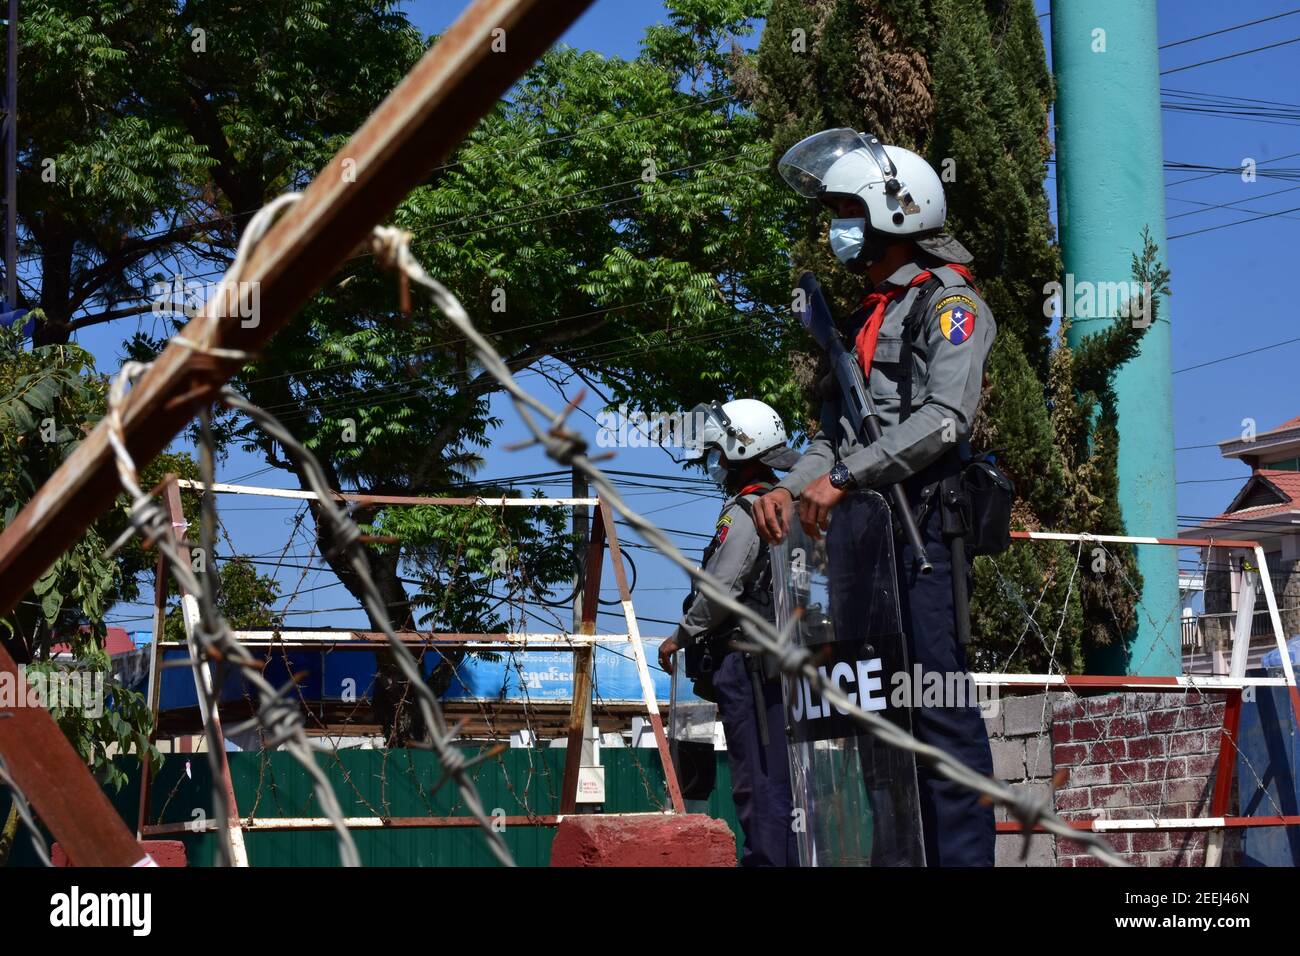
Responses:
[610,215]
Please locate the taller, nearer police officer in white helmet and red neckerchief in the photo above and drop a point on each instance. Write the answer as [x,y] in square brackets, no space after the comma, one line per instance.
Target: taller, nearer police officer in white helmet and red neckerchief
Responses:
[922,339]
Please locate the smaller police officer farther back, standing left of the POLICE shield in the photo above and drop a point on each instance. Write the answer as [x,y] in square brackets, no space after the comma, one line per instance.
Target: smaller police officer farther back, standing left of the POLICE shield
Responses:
[742,444]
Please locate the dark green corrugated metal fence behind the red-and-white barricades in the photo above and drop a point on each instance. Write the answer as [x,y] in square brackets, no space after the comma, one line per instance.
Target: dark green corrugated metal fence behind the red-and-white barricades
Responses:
[392,784]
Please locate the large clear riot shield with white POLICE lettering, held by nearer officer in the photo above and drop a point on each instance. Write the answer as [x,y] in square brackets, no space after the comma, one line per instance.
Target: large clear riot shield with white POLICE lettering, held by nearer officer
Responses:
[859,798]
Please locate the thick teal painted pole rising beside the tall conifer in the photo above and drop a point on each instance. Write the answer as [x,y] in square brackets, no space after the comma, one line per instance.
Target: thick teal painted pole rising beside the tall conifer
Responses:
[1110,185]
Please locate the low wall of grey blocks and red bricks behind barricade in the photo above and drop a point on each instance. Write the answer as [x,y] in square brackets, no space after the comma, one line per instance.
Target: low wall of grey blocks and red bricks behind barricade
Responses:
[1120,756]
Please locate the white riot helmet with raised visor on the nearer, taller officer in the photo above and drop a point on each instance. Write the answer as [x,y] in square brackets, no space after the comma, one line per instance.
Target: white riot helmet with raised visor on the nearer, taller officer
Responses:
[900,194]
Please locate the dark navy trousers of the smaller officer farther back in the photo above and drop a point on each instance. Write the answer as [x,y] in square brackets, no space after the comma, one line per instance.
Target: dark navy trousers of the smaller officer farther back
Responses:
[761,776]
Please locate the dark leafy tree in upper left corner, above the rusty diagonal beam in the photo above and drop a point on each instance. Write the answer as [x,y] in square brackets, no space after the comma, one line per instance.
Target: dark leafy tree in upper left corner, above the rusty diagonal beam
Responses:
[153,132]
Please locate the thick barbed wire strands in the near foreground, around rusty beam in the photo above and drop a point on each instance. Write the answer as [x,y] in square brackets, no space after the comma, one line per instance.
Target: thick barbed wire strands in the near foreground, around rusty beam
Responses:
[213,638]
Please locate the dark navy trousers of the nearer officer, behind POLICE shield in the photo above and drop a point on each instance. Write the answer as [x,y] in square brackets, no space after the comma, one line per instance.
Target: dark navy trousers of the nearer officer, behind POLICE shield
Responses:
[959,832]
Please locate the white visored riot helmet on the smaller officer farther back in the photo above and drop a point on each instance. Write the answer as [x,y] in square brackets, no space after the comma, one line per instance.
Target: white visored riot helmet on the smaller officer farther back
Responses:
[740,431]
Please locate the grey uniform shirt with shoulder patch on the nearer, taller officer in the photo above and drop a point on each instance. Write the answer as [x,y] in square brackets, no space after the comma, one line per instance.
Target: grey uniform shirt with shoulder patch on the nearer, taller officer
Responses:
[948,370]
